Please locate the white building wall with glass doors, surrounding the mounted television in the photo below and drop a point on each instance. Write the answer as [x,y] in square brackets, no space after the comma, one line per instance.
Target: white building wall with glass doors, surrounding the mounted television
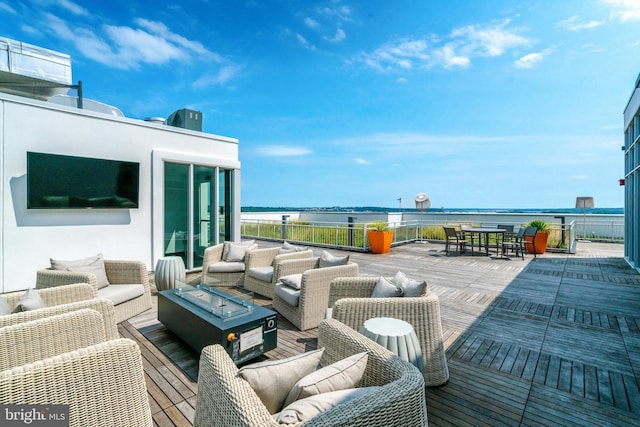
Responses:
[171,218]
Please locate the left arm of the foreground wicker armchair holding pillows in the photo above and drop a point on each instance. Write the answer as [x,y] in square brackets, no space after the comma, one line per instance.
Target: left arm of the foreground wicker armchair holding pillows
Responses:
[224,398]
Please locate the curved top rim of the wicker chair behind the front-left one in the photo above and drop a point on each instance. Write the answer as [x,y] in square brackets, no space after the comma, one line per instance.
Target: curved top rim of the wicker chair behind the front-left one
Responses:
[102,306]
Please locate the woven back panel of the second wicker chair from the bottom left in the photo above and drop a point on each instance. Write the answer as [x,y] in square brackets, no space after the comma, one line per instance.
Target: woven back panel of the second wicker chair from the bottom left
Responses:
[28,342]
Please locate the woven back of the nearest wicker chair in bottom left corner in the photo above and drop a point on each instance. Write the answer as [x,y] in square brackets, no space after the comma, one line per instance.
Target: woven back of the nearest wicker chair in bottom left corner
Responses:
[103,384]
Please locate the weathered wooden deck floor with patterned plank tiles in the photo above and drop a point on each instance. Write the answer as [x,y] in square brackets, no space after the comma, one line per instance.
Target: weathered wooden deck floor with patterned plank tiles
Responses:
[550,341]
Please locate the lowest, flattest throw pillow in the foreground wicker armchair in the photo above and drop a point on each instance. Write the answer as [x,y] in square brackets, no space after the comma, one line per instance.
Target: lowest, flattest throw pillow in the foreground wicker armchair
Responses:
[305,409]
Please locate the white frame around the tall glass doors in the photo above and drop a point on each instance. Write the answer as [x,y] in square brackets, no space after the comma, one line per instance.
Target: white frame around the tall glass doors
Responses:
[159,158]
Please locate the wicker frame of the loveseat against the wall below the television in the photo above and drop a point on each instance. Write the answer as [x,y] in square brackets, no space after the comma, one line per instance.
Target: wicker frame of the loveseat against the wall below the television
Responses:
[118,273]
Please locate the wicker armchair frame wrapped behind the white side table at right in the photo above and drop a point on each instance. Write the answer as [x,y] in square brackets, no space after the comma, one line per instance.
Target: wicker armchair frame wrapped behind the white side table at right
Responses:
[351,303]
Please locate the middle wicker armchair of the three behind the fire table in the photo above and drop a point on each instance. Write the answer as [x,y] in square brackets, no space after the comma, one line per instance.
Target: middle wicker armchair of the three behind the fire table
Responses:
[267,263]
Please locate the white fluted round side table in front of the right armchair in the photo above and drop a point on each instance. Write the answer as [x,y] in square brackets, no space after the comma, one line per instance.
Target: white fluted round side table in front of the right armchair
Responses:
[396,336]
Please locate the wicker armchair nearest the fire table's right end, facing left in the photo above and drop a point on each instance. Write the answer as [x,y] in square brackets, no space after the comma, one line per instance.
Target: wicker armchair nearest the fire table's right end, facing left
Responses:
[314,295]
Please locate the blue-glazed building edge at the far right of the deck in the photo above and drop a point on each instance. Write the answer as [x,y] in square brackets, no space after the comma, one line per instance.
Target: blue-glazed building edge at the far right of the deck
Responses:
[631,150]
